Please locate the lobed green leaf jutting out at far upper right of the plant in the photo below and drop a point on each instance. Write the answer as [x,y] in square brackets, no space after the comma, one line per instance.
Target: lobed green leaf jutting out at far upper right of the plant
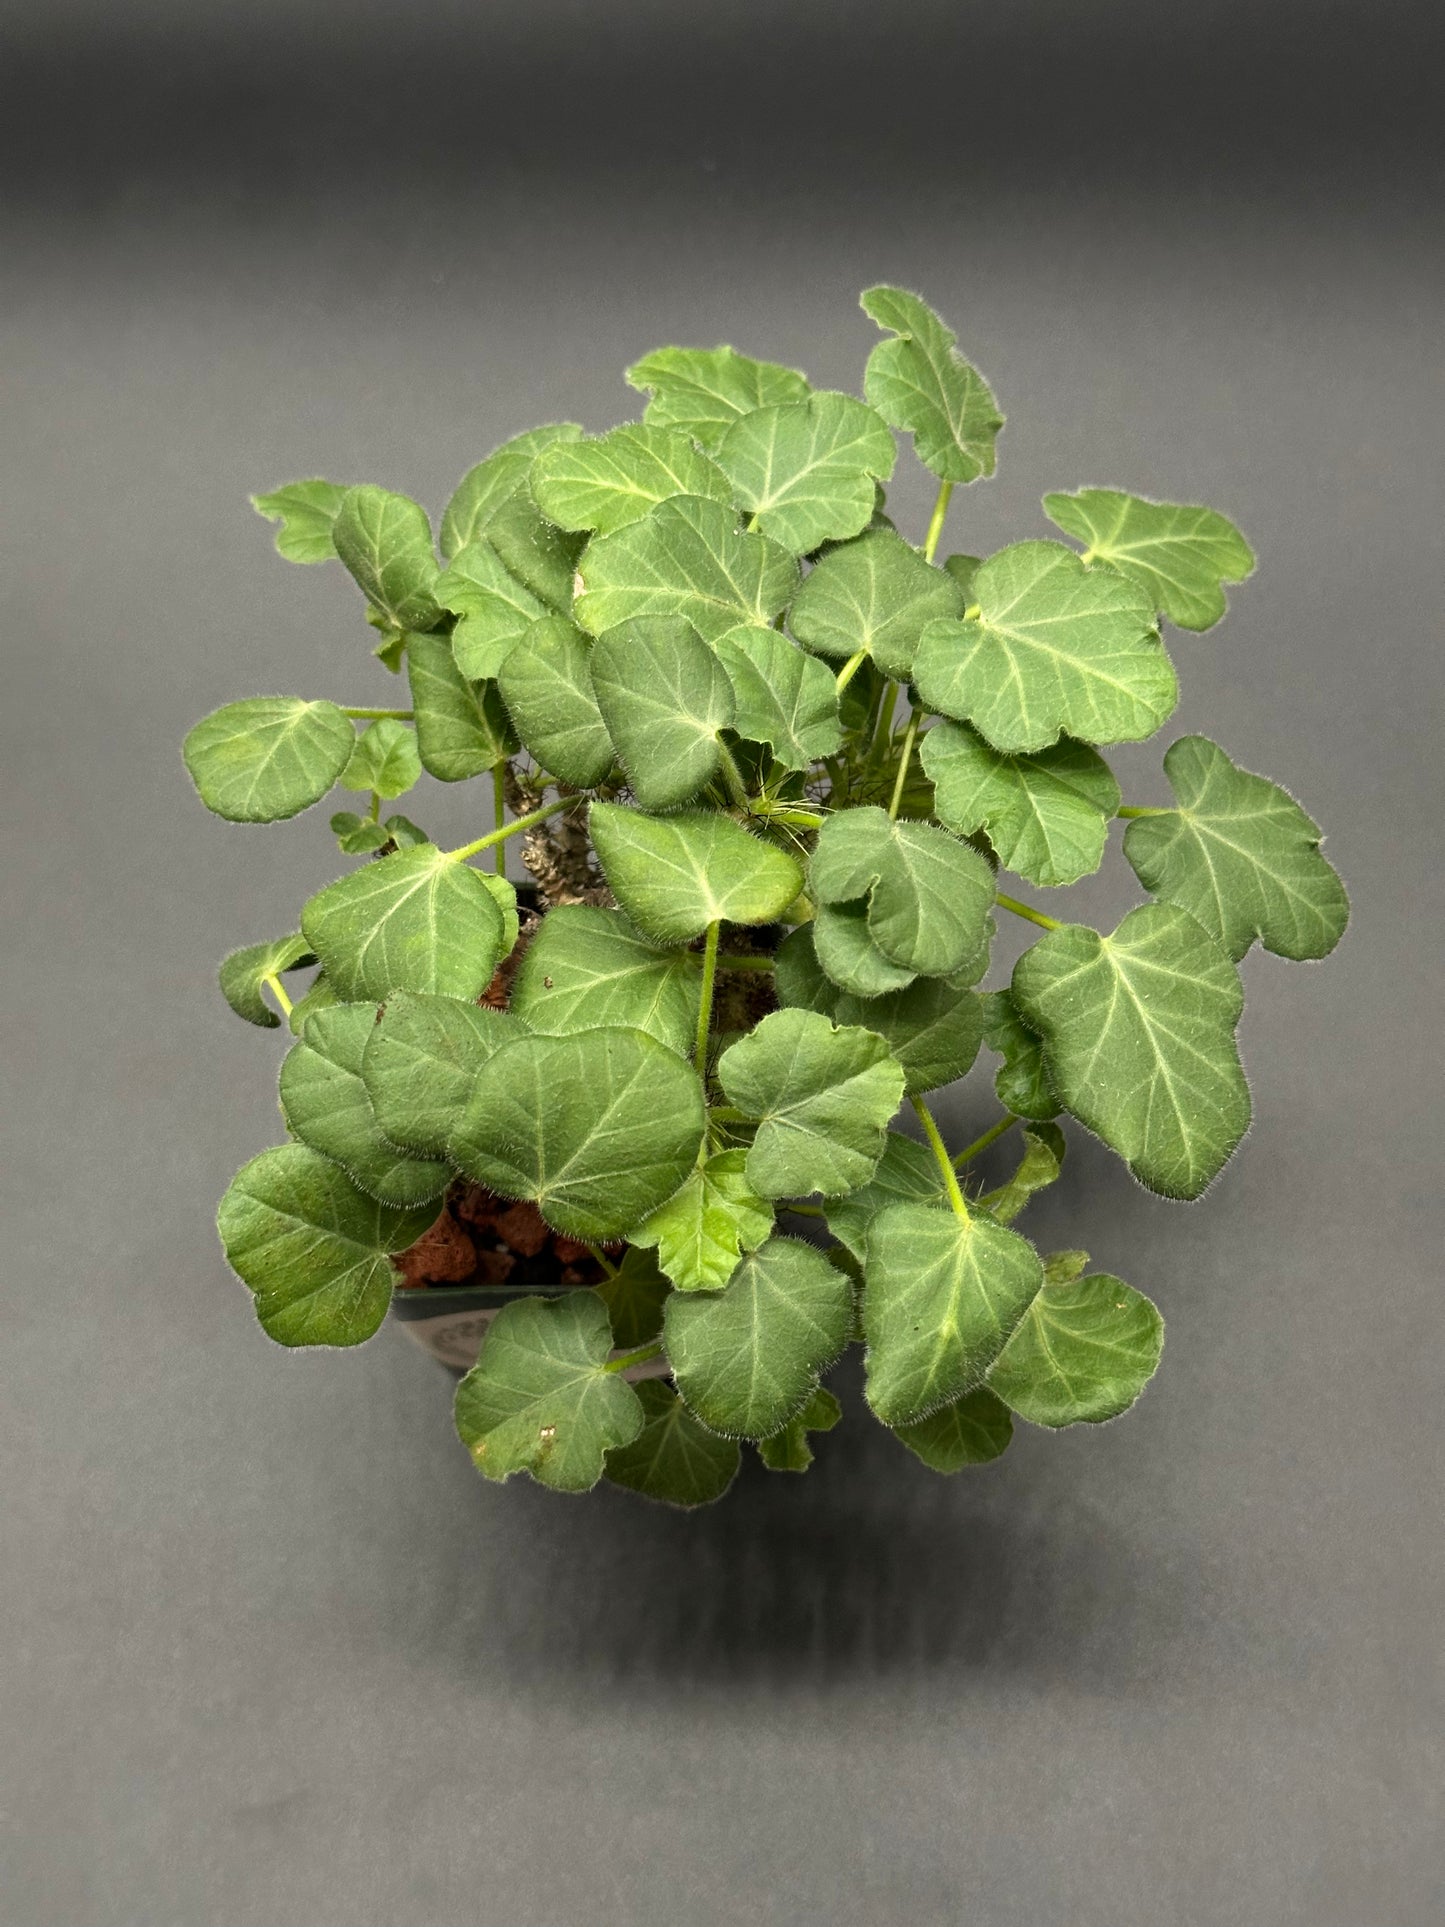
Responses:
[1178,554]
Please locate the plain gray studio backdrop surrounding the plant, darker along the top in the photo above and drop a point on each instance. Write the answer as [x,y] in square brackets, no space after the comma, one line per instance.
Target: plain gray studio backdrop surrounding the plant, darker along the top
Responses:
[273,1652]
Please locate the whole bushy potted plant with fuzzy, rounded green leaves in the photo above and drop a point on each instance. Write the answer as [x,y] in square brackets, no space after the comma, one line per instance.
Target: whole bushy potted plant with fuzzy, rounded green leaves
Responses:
[774,772]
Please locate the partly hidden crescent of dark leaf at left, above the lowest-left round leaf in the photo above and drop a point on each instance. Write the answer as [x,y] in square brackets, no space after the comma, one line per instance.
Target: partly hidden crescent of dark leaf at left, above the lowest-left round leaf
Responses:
[327,1107]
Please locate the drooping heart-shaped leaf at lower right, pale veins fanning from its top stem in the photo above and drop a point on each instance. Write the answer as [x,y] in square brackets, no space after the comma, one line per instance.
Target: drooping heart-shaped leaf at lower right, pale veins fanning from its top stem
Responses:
[941,1298]
